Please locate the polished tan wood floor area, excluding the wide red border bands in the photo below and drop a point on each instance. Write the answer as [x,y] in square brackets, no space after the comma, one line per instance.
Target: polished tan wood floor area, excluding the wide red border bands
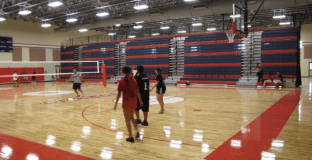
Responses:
[190,129]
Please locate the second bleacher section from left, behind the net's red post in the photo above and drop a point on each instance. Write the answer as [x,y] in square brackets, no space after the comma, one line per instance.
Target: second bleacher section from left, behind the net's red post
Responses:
[98,52]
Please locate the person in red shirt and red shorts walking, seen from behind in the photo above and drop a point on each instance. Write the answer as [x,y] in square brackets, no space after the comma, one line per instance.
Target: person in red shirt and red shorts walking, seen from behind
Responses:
[130,93]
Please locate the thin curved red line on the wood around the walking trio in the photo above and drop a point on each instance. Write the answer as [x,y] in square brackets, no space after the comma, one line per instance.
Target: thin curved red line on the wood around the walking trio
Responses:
[151,138]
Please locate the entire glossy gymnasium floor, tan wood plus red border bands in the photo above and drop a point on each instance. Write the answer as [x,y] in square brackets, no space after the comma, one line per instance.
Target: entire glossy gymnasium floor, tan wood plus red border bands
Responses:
[199,122]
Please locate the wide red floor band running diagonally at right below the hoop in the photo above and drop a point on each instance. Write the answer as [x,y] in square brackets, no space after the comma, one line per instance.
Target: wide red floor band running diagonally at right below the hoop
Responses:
[260,132]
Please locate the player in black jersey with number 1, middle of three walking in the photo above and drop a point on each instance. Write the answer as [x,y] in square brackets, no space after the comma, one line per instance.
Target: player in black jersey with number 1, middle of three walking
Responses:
[143,83]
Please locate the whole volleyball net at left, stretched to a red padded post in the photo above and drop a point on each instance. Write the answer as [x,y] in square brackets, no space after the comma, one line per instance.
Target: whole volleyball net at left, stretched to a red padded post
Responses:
[51,71]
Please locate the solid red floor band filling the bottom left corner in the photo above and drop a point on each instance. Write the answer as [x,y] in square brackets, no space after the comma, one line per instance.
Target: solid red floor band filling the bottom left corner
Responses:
[21,148]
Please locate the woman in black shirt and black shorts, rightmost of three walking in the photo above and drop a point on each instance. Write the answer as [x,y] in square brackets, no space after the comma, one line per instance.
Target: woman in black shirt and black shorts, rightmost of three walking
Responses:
[160,91]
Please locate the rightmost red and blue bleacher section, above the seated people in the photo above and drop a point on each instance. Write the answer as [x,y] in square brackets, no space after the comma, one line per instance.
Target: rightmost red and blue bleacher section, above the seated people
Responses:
[279,51]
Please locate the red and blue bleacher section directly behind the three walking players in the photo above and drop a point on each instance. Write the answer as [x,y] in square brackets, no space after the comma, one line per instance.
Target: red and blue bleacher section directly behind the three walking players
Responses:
[151,53]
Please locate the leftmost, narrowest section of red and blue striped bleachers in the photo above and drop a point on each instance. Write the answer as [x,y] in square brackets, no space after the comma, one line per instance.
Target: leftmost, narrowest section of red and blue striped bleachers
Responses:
[67,54]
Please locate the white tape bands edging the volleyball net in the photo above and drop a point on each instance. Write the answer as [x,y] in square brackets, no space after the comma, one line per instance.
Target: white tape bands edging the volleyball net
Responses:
[32,64]
